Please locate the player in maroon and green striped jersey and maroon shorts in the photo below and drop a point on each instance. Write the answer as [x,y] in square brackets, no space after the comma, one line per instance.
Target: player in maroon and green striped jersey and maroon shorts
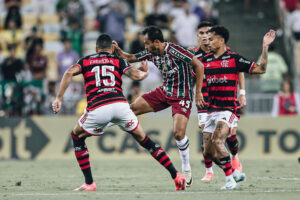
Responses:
[174,62]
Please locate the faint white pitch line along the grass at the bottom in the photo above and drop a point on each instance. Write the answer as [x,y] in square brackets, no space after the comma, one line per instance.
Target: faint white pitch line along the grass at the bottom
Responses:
[154,193]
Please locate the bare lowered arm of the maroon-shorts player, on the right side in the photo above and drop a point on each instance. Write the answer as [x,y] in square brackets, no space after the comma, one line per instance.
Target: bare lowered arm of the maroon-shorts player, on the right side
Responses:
[199,69]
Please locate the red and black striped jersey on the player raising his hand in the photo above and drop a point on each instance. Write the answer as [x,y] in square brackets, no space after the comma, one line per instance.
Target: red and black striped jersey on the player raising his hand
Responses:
[222,76]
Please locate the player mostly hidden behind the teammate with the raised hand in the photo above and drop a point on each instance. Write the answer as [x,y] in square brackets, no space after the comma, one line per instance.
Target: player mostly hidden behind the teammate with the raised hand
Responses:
[232,142]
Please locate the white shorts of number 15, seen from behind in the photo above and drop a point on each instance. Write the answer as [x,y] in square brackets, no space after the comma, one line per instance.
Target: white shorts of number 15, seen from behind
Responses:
[93,122]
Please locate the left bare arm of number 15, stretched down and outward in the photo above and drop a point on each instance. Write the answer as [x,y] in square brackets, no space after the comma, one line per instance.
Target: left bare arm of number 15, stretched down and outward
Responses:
[65,82]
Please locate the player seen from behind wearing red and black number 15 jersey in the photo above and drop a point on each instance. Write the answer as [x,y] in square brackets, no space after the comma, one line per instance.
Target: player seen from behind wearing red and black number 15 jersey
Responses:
[106,103]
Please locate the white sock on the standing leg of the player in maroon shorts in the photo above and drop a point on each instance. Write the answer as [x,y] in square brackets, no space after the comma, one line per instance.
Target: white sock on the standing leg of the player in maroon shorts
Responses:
[183,147]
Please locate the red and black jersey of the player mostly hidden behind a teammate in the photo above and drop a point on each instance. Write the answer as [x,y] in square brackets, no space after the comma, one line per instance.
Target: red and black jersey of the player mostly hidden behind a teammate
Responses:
[199,55]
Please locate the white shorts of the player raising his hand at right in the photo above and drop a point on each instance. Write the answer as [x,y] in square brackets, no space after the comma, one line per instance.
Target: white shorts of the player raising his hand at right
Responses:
[225,116]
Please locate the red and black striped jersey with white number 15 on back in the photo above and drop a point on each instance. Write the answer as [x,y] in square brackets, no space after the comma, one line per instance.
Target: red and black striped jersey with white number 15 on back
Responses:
[102,78]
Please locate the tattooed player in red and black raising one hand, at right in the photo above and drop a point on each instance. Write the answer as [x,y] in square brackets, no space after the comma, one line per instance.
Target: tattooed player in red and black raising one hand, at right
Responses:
[222,69]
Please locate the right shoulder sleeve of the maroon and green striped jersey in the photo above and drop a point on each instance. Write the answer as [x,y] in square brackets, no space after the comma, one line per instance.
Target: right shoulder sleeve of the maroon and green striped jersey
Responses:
[181,53]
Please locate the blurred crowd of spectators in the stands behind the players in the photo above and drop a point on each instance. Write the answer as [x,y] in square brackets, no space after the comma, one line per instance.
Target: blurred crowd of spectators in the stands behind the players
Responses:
[39,40]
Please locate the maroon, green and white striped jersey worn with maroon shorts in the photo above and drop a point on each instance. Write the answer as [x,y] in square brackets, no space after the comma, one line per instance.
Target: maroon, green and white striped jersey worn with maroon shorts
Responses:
[175,69]
